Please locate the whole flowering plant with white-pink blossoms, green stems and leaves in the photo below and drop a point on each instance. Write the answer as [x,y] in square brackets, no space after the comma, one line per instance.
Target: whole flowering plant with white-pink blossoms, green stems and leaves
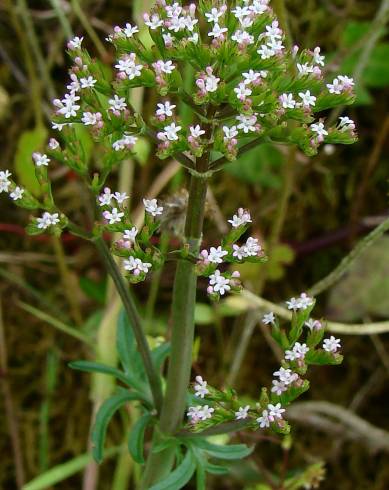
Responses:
[250,86]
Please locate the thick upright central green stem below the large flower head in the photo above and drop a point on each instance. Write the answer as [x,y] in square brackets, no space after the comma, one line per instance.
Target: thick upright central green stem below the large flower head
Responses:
[184,299]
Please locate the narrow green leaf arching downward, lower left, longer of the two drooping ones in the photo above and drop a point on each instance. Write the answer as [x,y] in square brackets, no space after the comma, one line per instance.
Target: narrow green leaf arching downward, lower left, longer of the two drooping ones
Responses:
[103,417]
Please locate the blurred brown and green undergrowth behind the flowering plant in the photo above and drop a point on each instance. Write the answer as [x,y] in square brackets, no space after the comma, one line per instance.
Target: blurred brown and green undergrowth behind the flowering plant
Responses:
[56,304]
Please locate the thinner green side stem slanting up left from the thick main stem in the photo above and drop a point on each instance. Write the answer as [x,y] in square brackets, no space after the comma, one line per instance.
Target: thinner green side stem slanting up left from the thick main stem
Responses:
[131,310]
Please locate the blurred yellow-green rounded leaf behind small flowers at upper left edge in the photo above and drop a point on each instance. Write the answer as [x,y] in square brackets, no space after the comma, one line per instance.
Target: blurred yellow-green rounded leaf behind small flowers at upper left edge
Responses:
[29,142]
